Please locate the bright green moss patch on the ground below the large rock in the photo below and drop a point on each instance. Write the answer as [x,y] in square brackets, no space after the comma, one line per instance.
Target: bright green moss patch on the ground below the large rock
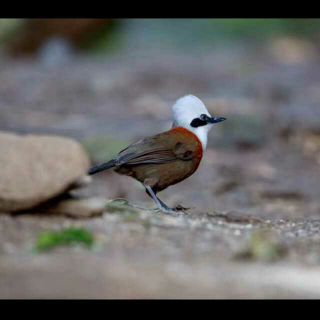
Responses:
[69,236]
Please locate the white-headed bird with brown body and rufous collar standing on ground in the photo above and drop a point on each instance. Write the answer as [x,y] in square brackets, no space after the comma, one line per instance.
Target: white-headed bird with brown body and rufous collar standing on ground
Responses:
[165,159]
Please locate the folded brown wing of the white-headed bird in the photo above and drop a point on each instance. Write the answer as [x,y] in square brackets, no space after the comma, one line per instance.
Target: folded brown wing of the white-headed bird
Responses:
[156,150]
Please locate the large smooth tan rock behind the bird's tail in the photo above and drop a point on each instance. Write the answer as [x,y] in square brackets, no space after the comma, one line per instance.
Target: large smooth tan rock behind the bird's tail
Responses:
[35,169]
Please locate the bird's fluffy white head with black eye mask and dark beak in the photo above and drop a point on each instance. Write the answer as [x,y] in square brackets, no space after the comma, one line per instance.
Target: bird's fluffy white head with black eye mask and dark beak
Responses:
[190,112]
